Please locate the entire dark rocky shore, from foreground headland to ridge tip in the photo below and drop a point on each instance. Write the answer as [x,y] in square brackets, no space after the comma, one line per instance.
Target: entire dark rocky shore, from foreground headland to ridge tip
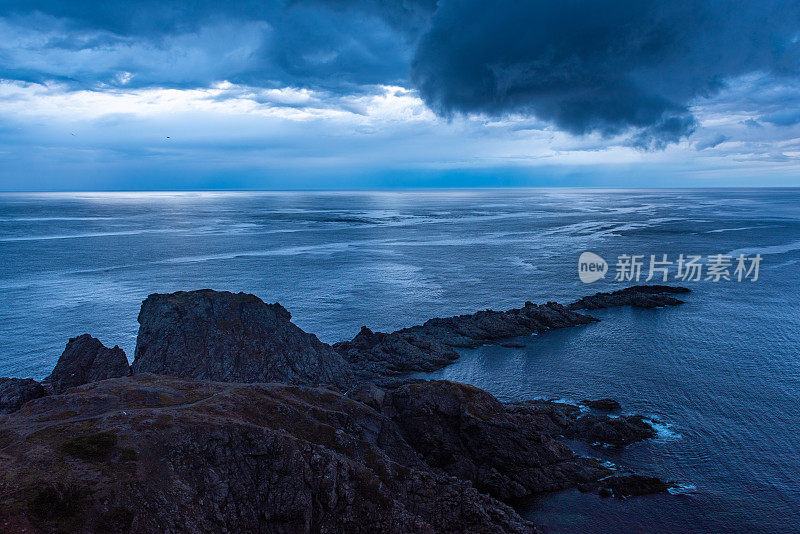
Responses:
[232,418]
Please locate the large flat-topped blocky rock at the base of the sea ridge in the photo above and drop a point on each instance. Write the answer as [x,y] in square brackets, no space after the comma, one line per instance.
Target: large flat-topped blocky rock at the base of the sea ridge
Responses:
[230,337]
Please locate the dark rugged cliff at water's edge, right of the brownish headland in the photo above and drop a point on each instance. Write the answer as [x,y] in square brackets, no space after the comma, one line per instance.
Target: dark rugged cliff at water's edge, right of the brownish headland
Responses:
[467,433]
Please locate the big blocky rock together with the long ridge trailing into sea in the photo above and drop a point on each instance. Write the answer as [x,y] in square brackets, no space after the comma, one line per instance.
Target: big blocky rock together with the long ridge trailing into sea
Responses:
[218,335]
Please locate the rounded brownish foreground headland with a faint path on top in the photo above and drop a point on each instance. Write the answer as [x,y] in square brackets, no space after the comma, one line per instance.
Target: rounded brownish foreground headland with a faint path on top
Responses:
[160,454]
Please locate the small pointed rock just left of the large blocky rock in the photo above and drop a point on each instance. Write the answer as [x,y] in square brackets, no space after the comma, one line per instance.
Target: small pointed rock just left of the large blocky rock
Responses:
[85,359]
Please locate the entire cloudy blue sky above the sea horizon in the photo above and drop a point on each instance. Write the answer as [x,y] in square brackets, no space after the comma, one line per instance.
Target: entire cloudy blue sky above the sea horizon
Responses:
[360,94]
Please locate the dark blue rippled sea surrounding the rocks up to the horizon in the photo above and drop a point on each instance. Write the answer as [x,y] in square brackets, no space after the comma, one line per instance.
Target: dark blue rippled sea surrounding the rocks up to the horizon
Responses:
[721,373]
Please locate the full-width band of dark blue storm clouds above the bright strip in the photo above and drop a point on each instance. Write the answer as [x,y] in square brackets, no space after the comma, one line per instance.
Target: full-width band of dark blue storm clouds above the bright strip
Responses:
[604,66]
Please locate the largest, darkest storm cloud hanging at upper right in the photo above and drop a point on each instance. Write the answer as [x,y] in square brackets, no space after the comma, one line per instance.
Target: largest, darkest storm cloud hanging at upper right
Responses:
[600,65]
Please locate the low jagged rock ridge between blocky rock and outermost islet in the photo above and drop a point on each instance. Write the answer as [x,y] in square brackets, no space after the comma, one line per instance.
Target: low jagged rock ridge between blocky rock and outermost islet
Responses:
[432,345]
